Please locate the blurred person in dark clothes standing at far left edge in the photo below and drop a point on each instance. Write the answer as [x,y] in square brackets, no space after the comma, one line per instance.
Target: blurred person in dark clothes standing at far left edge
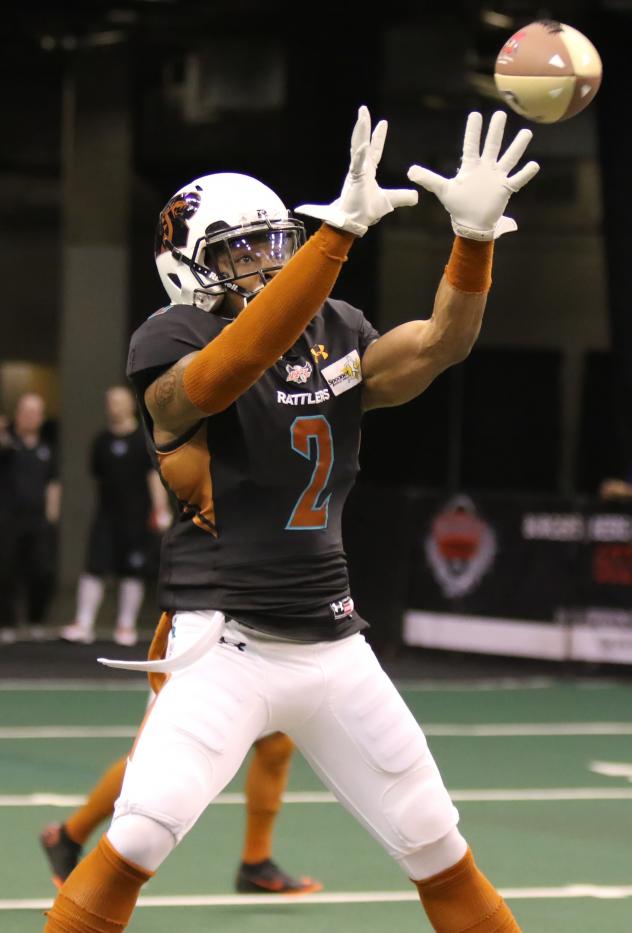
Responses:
[29,512]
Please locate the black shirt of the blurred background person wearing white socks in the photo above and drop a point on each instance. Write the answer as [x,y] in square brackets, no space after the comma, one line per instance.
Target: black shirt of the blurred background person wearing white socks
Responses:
[120,464]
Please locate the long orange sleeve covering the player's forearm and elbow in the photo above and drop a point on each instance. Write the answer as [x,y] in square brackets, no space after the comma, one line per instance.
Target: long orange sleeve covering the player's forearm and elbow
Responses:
[269,325]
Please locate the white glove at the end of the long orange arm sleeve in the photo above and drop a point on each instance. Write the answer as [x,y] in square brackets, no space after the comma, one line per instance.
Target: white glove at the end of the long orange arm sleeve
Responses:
[362,202]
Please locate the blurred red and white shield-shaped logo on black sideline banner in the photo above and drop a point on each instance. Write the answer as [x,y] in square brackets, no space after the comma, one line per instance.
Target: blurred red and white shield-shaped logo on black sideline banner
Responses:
[460,548]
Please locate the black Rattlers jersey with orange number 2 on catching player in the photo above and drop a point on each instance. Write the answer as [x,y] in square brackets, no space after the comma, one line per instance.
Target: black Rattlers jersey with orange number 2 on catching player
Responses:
[261,486]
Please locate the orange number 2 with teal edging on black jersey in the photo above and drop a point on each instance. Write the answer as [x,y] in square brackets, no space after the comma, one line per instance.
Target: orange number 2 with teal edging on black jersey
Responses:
[312,439]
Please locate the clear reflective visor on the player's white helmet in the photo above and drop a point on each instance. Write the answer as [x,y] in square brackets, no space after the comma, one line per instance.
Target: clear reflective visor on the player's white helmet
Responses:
[258,253]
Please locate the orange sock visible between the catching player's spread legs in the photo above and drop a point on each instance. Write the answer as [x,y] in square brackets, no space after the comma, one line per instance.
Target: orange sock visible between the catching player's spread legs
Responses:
[267,779]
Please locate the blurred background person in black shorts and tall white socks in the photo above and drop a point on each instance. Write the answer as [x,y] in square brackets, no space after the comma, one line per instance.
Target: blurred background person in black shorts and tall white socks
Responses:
[132,505]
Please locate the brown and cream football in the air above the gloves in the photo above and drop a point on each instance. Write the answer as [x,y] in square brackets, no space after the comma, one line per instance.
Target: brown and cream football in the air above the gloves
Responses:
[548,72]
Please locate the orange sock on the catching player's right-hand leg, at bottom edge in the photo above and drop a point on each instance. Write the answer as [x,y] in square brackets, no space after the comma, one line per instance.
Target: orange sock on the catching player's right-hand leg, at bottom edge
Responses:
[461,899]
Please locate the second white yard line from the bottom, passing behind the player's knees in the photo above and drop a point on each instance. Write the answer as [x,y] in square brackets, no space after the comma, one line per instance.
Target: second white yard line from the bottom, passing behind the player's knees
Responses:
[43,799]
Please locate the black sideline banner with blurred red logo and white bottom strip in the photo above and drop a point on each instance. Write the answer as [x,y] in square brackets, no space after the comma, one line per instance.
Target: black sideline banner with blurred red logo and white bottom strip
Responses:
[539,577]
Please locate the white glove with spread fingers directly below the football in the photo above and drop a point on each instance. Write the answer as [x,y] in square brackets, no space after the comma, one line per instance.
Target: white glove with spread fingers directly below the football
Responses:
[477,196]
